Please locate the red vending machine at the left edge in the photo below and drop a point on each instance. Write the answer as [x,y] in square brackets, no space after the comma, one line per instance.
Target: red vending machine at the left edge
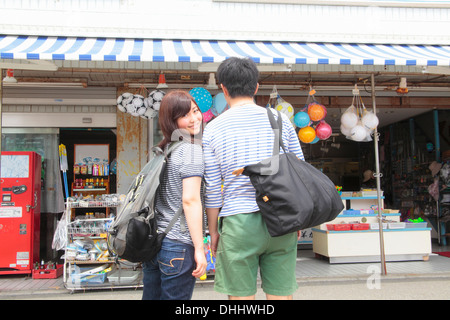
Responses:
[20,182]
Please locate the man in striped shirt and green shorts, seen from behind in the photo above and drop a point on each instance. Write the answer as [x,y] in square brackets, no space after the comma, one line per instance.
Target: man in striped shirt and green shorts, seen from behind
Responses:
[239,137]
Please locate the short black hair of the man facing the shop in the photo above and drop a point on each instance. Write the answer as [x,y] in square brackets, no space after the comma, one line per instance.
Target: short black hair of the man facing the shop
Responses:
[239,76]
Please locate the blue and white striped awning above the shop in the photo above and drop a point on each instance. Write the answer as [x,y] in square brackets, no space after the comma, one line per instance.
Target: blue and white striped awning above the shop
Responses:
[204,51]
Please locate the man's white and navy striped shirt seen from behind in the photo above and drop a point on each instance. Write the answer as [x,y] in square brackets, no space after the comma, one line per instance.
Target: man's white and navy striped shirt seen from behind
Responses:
[240,136]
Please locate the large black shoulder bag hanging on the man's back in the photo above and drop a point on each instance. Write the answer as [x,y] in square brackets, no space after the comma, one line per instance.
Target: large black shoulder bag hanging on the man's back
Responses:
[291,194]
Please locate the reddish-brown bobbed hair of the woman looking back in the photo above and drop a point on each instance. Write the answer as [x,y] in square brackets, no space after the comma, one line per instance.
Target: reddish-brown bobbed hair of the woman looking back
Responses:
[174,105]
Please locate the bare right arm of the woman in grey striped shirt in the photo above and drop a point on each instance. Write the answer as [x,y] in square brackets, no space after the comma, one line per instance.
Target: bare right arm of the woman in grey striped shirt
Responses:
[193,211]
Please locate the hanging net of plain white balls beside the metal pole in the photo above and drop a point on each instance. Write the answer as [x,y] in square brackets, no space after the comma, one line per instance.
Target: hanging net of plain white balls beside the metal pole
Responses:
[357,123]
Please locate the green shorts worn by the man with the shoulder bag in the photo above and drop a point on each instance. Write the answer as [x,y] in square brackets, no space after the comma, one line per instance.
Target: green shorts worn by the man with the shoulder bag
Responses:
[244,246]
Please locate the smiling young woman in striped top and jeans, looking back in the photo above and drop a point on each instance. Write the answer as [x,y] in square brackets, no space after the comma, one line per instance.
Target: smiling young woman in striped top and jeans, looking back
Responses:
[171,274]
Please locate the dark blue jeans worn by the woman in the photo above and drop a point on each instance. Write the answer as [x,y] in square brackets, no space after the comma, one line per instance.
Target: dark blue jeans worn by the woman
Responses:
[168,276]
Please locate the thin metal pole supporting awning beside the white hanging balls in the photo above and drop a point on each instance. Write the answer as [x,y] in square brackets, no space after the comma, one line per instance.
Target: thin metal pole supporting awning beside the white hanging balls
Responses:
[377,175]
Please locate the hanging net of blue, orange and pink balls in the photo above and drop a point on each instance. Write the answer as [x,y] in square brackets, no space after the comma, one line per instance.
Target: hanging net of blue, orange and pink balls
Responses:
[311,121]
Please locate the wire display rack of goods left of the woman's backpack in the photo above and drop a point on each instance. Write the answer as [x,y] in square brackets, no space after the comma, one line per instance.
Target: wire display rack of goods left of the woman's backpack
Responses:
[87,264]
